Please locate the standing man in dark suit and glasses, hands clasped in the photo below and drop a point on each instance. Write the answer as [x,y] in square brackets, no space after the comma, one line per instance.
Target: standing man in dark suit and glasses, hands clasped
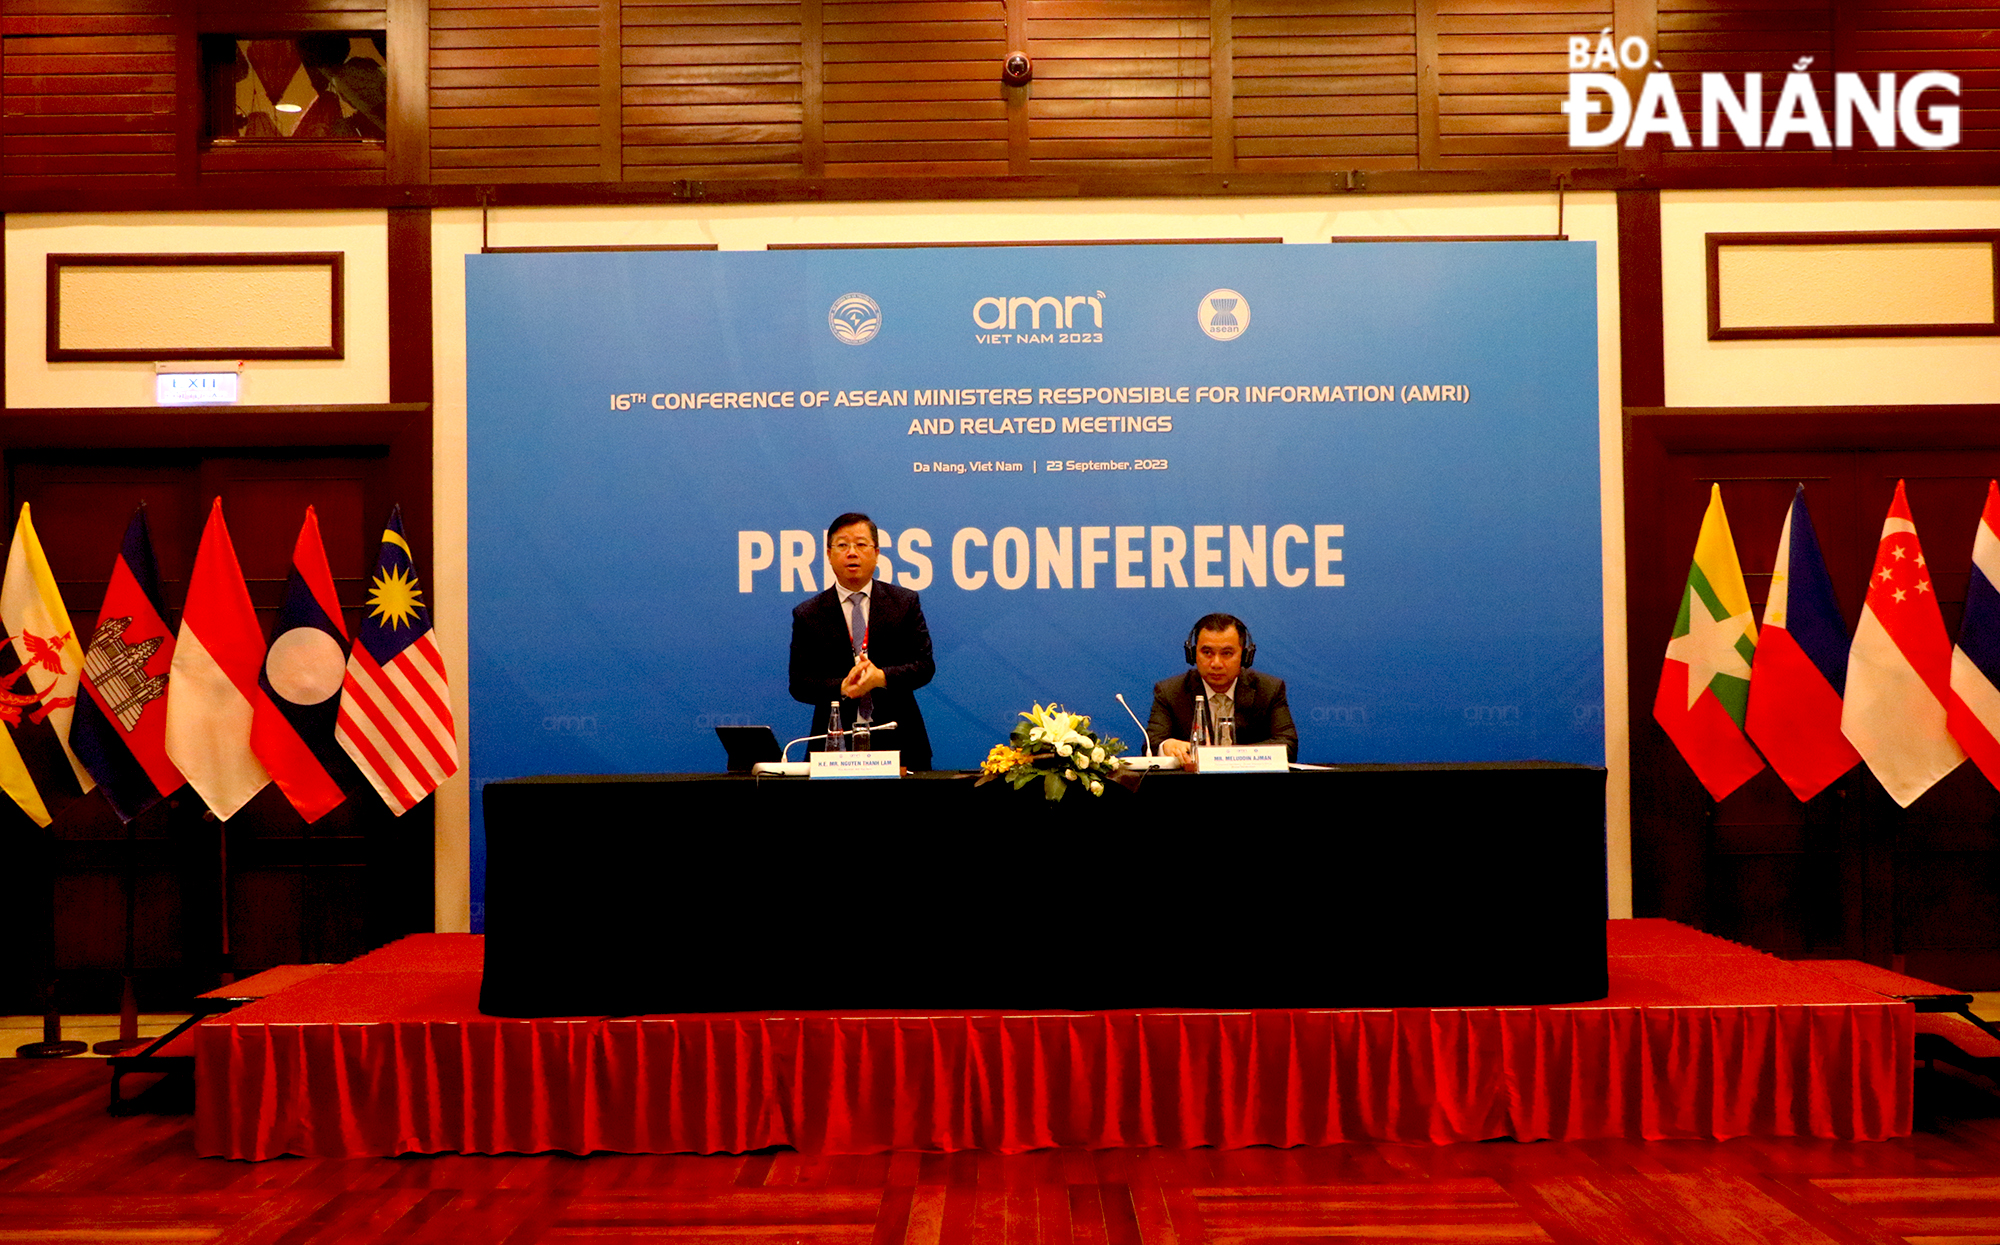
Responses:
[865,644]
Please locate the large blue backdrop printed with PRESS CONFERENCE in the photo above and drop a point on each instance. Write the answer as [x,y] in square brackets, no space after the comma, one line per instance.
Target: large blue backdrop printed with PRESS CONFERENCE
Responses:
[1383,457]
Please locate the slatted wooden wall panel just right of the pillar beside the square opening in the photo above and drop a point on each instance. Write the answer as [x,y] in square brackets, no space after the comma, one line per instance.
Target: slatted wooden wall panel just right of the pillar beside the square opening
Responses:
[515,91]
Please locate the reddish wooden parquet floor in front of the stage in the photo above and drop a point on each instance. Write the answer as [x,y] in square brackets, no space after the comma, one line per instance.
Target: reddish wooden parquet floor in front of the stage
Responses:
[69,1172]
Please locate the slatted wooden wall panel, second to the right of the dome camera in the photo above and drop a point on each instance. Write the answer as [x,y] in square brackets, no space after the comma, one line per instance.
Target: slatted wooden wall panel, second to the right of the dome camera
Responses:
[1325,85]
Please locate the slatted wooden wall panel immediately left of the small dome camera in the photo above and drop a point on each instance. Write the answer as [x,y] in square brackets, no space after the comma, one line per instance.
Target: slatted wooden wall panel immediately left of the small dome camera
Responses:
[915,89]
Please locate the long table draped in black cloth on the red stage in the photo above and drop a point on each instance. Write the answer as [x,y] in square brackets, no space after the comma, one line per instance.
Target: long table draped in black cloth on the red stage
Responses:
[1417,886]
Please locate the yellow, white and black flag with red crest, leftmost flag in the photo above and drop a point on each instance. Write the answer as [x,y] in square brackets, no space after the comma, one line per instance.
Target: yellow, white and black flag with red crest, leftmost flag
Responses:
[39,672]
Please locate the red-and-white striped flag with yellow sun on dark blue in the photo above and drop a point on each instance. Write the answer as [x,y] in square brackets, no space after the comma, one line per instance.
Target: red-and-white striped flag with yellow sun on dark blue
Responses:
[395,706]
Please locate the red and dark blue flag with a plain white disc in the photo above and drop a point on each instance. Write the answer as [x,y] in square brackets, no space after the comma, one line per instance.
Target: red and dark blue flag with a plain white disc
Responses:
[293,734]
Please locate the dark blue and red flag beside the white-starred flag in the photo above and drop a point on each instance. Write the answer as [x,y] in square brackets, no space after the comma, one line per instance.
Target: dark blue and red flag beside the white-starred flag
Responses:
[1801,666]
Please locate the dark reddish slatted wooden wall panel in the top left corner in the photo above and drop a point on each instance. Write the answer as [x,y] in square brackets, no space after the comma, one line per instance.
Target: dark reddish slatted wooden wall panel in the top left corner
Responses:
[85,99]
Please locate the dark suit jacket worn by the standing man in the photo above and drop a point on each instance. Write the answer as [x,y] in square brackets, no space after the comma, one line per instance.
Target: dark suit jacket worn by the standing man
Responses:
[899,644]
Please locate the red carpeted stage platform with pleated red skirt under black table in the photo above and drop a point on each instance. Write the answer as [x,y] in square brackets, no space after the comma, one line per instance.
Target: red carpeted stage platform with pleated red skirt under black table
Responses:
[1699,1038]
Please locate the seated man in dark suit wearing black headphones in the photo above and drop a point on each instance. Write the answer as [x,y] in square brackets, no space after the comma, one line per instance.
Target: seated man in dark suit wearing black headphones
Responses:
[1221,690]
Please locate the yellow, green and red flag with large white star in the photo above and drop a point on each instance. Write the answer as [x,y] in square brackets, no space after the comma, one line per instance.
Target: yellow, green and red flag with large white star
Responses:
[1705,684]
